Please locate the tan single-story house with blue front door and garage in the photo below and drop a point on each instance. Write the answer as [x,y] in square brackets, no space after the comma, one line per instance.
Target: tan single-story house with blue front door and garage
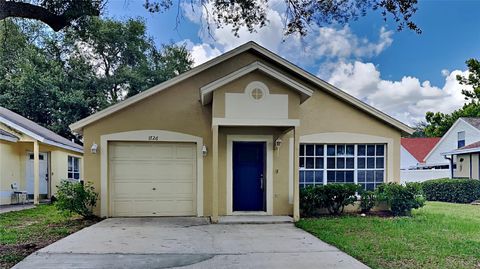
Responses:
[239,134]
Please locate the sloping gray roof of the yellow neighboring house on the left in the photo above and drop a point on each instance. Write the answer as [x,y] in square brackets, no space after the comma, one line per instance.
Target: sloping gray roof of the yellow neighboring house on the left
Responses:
[48,136]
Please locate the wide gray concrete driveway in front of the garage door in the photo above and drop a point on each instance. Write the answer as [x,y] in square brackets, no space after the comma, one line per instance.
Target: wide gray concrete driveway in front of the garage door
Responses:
[188,243]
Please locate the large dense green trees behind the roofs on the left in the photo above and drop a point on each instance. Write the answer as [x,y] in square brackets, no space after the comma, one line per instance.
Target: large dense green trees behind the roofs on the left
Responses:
[56,79]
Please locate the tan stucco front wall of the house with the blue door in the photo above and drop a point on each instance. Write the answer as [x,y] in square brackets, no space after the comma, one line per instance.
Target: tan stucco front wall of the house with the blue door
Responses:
[178,109]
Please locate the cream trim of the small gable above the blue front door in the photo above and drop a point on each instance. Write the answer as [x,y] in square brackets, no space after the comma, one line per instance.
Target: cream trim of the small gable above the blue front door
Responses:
[206,92]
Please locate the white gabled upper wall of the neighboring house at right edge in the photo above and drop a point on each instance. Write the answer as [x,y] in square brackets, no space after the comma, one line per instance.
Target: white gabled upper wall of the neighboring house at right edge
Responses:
[463,132]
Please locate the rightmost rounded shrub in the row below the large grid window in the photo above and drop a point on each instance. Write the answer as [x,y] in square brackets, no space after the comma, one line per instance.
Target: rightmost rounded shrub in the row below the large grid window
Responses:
[400,199]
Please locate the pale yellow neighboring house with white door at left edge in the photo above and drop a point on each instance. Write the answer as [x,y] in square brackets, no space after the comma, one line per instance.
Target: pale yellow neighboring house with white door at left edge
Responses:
[34,159]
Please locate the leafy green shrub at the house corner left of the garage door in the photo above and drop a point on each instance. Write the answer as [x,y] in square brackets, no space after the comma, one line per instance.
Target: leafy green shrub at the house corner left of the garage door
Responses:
[76,197]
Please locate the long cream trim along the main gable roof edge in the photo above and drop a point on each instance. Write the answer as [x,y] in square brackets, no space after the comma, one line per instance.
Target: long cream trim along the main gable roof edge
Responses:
[77,126]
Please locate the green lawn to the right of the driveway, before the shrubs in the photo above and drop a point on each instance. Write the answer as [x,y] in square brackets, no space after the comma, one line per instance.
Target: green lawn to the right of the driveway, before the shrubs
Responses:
[439,235]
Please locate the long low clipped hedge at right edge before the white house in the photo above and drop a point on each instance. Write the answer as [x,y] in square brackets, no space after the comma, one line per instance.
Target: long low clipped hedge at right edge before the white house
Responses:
[452,190]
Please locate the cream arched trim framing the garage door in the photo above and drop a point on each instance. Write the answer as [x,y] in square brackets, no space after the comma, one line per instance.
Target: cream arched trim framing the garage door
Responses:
[143,135]
